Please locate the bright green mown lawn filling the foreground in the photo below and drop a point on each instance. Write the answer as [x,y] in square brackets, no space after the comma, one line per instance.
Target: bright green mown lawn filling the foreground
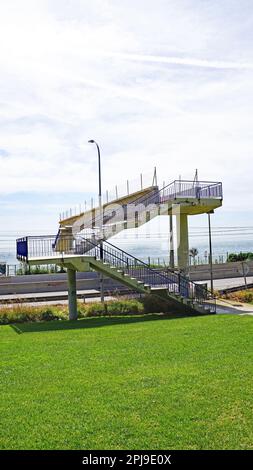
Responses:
[128,383]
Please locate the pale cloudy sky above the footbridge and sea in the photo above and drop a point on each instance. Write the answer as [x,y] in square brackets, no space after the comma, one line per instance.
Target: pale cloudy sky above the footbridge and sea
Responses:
[165,83]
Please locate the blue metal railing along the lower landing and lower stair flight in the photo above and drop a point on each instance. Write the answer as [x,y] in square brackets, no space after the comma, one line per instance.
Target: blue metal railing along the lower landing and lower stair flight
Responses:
[39,247]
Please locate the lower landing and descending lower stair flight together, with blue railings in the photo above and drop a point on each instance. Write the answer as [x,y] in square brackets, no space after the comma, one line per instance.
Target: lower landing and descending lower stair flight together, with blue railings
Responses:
[83,254]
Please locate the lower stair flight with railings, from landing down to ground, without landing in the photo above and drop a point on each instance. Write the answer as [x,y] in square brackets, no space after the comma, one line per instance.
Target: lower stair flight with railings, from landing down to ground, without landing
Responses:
[129,270]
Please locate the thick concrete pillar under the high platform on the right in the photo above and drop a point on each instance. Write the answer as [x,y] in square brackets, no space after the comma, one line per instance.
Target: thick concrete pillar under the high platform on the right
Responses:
[182,242]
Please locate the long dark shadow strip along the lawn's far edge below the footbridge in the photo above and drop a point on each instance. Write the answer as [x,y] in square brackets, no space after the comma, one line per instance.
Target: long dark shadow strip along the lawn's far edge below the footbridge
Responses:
[98,322]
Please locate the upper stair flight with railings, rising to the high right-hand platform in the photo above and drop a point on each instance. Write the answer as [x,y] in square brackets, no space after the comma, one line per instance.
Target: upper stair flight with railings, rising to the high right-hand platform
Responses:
[139,209]
